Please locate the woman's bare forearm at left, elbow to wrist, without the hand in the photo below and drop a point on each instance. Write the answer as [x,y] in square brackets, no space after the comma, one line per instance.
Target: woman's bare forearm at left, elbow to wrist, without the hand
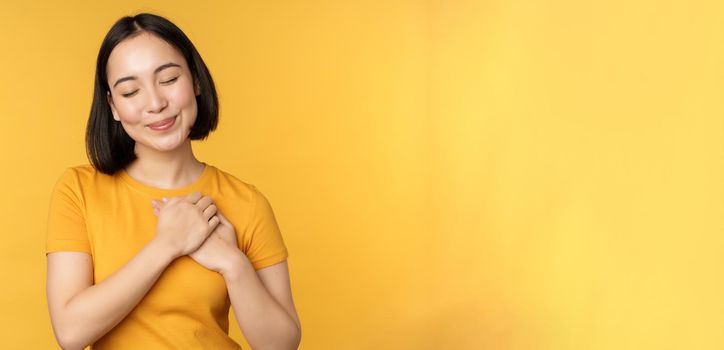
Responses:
[93,312]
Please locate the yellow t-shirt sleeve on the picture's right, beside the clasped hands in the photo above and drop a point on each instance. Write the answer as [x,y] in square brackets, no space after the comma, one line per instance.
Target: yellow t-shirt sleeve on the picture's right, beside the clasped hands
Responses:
[265,246]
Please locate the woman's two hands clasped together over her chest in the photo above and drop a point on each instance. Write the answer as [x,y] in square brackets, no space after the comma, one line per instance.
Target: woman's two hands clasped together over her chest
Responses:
[192,225]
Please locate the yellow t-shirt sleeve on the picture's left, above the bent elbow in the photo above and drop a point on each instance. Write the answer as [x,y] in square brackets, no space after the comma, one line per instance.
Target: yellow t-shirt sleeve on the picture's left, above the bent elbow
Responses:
[66,220]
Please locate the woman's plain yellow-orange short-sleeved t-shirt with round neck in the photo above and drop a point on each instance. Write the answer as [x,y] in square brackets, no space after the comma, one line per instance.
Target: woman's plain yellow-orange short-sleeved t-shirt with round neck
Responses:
[111,218]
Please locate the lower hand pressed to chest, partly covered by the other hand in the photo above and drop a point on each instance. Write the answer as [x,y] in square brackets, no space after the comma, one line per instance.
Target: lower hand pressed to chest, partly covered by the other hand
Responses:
[219,252]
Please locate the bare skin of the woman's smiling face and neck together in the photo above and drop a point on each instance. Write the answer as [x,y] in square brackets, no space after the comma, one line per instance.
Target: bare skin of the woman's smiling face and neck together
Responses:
[165,158]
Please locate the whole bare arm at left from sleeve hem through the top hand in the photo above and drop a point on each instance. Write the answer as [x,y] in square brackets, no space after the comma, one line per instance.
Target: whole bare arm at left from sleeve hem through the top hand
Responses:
[81,312]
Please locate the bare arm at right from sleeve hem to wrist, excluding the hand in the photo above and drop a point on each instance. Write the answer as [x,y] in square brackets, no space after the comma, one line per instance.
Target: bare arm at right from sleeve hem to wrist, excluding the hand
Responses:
[263,304]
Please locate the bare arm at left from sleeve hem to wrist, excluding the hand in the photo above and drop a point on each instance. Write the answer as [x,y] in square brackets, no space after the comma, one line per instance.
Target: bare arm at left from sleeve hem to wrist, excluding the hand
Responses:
[81,312]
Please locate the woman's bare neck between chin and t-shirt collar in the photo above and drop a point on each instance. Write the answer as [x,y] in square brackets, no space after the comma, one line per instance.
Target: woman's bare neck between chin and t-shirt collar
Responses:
[165,169]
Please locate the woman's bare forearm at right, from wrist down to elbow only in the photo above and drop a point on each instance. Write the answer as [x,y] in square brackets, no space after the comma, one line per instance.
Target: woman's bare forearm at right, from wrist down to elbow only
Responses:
[265,324]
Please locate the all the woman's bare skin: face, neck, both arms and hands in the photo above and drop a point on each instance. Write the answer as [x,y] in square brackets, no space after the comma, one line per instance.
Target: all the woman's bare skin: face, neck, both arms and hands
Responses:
[81,311]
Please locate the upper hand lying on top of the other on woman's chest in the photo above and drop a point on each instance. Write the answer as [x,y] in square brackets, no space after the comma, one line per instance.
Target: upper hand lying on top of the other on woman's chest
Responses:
[185,222]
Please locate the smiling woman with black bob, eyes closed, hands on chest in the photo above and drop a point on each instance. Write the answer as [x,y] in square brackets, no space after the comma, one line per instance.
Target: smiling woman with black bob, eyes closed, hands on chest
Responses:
[147,246]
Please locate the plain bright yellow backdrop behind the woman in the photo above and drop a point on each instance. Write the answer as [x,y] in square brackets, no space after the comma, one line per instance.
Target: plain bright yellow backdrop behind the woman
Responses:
[497,174]
